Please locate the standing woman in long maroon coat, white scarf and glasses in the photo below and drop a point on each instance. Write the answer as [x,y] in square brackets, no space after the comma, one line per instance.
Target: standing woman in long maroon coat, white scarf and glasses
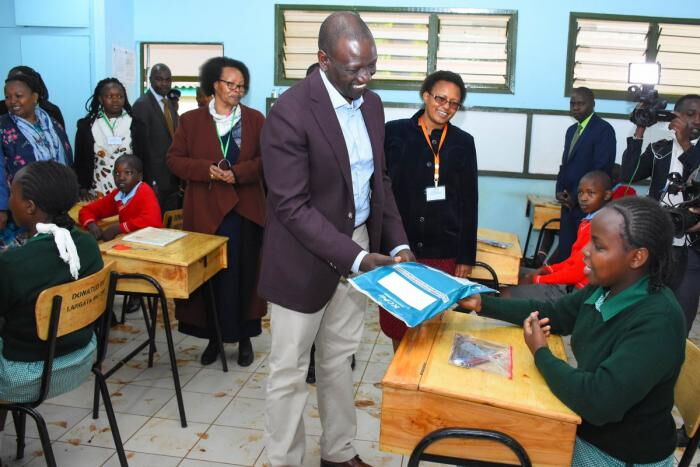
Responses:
[216,149]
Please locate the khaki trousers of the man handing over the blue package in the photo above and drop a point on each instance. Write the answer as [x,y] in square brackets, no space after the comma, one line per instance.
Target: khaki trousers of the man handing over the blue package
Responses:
[336,329]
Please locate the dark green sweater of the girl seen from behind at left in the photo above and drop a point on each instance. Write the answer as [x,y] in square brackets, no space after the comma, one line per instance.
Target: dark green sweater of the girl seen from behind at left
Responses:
[24,273]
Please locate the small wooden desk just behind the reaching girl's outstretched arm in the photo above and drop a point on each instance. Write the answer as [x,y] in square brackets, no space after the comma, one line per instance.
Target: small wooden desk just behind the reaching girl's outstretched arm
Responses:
[506,262]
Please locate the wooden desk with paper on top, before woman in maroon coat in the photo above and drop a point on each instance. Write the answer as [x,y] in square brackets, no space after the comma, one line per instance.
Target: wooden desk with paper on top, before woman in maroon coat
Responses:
[180,267]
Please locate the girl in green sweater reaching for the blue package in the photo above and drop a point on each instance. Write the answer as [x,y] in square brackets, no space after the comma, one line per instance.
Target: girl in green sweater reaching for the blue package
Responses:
[627,334]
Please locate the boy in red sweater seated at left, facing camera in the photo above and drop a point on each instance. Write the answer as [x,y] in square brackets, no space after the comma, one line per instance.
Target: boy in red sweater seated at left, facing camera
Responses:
[133,200]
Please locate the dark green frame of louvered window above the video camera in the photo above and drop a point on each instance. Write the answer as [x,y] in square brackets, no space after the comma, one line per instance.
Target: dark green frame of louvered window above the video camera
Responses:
[655,31]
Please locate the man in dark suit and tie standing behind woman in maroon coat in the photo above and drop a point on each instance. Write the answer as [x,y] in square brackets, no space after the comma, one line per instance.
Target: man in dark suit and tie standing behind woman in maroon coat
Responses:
[157,111]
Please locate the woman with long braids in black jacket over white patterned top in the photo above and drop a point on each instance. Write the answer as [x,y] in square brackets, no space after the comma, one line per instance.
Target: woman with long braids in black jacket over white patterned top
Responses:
[107,132]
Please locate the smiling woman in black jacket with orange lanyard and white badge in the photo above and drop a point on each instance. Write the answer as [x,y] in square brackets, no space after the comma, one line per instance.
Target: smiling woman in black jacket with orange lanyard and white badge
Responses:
[438,206]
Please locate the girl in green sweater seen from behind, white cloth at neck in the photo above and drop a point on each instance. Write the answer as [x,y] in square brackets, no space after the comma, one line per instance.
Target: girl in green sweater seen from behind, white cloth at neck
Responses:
[56,253]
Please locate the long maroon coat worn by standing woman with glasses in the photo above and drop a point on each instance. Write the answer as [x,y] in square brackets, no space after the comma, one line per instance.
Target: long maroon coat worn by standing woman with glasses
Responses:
[195,148]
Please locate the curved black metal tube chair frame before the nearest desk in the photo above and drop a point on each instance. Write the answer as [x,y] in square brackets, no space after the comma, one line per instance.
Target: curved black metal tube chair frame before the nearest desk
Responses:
[419,453]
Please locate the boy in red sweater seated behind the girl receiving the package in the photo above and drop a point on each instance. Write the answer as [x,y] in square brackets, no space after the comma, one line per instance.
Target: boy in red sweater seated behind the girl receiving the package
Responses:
[594,191]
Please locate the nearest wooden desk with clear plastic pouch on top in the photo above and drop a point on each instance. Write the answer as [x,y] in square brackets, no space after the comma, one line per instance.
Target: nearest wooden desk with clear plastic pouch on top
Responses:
[422,392]
